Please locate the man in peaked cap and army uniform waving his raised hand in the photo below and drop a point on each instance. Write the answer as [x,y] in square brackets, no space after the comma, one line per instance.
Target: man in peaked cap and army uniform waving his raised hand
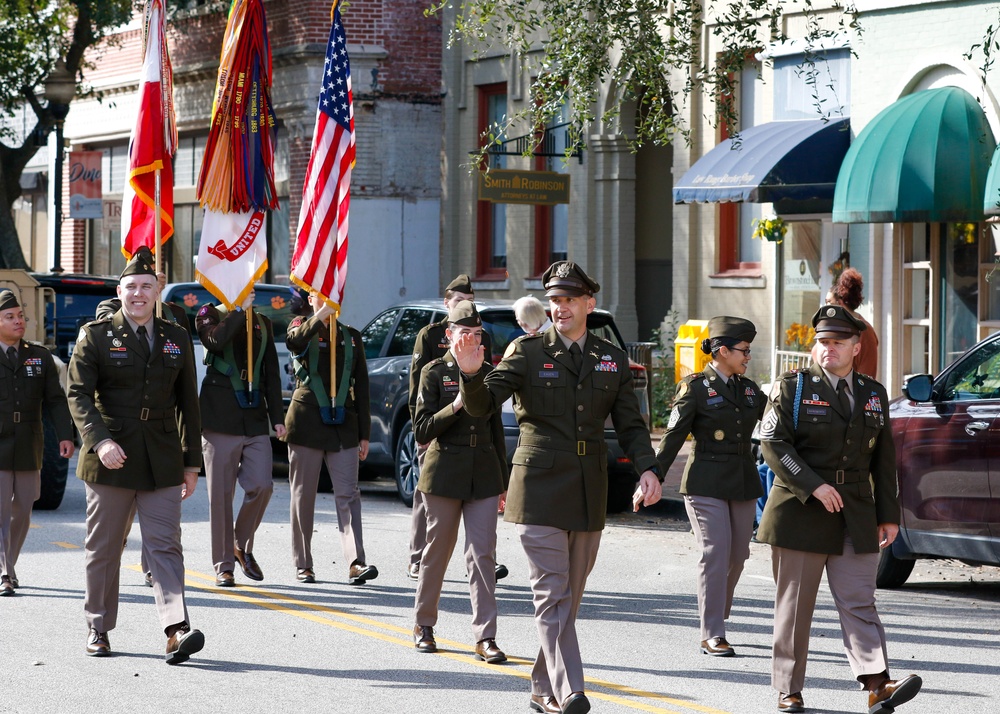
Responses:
[567,381]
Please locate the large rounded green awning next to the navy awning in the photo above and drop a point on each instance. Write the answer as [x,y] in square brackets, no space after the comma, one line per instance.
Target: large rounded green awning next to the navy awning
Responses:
[923,159]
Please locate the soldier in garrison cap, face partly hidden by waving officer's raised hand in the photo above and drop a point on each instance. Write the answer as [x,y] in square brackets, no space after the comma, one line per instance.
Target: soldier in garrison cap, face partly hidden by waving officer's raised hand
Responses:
[463,473]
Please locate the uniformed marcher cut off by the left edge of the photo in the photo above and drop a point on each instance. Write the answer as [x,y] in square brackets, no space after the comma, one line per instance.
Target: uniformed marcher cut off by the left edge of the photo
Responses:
[28,379]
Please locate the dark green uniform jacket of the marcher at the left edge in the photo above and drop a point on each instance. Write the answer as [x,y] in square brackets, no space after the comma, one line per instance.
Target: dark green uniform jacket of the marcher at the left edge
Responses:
[24,388]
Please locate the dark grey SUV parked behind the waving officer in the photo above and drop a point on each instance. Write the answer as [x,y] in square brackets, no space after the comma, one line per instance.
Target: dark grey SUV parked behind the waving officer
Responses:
[389,340]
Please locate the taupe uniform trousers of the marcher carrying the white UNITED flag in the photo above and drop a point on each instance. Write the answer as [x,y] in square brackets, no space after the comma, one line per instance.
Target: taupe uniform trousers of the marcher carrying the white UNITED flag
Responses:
[231,458]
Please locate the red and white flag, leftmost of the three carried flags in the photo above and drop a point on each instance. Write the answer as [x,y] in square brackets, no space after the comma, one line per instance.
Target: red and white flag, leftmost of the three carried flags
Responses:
[152,144]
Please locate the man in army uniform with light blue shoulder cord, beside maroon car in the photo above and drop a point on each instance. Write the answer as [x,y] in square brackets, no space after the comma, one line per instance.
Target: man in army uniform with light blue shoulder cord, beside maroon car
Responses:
[833,505]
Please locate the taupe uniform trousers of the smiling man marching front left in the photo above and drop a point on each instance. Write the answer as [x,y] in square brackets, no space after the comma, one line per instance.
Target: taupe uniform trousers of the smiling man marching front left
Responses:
[109,511]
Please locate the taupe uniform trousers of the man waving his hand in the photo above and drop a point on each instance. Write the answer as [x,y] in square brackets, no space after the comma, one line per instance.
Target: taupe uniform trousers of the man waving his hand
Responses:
[558,565]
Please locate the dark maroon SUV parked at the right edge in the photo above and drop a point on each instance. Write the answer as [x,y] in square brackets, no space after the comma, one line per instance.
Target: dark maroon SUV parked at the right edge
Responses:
[947,435]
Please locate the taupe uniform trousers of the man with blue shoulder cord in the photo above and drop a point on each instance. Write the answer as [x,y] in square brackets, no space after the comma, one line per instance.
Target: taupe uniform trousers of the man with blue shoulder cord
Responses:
[851,577]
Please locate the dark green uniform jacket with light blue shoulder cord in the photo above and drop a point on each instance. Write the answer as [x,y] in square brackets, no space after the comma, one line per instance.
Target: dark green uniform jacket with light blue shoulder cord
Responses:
[853,452]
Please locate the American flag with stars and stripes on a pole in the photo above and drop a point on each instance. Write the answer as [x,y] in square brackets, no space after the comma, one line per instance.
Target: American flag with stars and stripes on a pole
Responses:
[320,259]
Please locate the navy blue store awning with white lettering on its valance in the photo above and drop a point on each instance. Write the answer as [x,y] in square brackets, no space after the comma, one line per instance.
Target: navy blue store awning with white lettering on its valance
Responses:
[796,160]
